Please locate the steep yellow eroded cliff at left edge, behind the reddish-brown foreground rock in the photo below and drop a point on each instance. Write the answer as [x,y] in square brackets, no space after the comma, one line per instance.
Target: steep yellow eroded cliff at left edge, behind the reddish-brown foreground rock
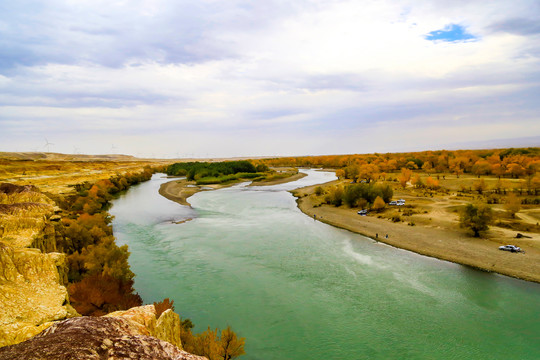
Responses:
[32,283]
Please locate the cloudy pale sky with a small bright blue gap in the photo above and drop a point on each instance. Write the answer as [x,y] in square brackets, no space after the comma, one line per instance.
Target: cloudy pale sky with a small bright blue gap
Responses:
[224,78]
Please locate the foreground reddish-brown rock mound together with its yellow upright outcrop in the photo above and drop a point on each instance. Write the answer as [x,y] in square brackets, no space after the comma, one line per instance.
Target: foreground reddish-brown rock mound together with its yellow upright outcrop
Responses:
[131,334]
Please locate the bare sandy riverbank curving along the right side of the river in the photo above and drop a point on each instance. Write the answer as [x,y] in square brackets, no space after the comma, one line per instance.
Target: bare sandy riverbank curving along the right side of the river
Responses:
[446,243]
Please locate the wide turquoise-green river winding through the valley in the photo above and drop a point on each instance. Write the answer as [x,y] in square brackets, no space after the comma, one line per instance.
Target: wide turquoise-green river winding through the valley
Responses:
[296,288]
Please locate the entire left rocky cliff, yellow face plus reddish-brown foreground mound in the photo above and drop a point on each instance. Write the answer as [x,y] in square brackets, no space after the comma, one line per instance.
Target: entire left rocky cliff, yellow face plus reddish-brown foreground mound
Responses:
[36,320]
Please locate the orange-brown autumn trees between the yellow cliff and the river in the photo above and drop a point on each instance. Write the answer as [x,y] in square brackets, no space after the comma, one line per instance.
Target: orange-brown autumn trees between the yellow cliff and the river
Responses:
[99,277]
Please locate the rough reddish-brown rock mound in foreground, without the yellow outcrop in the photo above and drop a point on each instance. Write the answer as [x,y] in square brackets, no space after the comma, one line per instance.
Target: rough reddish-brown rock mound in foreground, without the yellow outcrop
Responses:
[94,338]
